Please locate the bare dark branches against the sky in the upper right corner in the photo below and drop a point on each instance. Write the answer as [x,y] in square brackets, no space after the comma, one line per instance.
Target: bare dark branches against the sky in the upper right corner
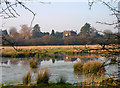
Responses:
[115,12]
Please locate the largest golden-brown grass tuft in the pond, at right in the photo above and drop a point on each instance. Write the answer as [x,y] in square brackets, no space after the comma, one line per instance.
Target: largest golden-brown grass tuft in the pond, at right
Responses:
[94,67]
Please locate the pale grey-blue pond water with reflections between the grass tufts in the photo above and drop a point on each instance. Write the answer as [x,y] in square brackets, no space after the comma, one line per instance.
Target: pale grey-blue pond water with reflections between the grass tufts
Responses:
[14,71]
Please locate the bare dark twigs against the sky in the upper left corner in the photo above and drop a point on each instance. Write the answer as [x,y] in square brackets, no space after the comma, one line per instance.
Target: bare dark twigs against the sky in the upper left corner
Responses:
[8,9]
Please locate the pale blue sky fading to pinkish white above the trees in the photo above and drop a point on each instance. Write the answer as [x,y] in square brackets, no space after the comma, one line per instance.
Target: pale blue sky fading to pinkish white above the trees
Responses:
[62,16]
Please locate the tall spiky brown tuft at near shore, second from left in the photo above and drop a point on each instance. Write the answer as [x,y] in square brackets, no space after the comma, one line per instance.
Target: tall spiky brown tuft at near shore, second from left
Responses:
[43,77]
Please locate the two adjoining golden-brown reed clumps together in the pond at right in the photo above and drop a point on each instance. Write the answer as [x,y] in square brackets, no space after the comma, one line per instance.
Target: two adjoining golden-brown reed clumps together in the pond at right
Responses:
[90,67]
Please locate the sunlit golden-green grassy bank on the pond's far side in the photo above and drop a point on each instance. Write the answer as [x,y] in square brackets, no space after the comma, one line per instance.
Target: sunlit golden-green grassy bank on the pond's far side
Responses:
[53,51]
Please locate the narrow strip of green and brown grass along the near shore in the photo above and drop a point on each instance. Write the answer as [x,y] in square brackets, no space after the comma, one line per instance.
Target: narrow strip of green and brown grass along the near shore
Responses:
[106,83]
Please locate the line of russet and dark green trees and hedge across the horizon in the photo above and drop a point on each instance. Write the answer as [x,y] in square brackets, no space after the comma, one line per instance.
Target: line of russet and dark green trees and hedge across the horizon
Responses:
[33,37]
